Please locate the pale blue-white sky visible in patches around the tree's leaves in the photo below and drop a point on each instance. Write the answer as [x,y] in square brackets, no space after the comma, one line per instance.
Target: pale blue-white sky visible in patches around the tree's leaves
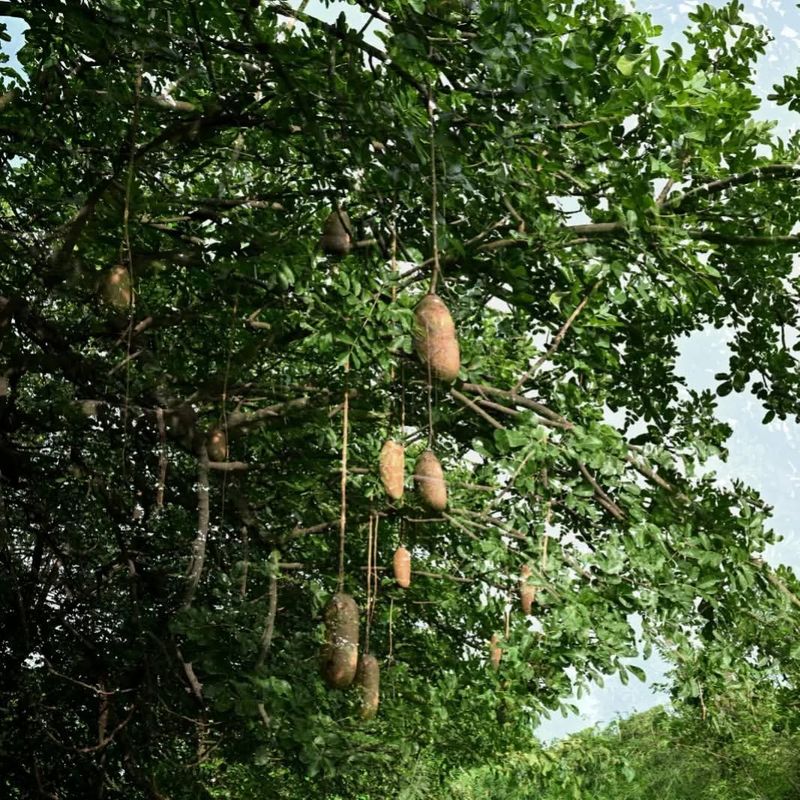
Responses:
[766,457]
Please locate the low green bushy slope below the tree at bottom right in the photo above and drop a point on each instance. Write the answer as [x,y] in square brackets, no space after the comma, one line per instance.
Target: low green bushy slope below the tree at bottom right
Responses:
[674,756]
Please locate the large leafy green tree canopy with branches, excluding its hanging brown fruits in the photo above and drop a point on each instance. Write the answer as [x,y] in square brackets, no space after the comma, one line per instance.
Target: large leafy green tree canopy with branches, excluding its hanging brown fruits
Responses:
[188,381]
